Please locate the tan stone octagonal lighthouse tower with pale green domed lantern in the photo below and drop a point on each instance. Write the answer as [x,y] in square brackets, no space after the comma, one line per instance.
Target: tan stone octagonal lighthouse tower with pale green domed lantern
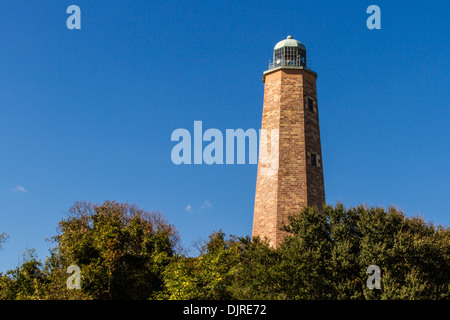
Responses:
[290,112]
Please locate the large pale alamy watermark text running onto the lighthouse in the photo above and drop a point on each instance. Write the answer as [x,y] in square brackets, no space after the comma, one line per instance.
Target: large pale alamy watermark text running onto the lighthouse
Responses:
[190,149]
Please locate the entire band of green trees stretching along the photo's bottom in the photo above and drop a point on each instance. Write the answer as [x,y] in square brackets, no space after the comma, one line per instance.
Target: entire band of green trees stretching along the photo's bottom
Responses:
[124,252]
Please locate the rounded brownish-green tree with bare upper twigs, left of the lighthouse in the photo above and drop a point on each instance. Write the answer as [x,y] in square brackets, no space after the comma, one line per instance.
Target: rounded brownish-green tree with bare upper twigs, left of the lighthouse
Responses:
[121,250]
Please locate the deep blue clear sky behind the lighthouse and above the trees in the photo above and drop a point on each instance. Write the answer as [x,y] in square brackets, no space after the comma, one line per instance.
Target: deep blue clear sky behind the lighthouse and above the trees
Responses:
[88,114]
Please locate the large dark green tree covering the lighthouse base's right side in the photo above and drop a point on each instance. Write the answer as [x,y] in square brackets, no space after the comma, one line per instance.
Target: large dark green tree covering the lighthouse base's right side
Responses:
[326,256]
